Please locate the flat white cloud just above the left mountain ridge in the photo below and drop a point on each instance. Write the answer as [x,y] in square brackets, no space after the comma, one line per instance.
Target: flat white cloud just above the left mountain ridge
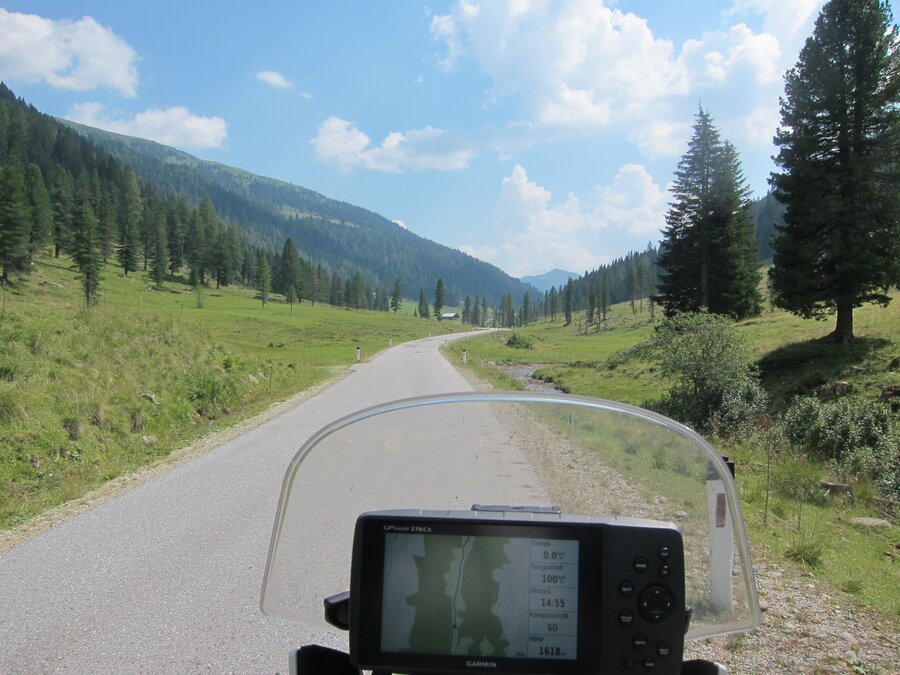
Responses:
[171,126]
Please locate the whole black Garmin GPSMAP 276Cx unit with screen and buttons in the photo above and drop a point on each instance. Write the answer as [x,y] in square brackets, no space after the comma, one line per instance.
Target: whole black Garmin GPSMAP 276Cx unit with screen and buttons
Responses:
[515,590]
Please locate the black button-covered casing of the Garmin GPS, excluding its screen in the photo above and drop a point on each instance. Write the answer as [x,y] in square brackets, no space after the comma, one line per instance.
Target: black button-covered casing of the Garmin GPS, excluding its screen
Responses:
[631,600]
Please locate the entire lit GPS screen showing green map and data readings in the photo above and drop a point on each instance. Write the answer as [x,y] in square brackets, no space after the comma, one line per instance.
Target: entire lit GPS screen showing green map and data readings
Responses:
[480,596]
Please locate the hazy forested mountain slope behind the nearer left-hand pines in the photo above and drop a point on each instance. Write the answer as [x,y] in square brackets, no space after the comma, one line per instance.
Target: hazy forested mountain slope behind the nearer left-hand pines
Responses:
[344,237]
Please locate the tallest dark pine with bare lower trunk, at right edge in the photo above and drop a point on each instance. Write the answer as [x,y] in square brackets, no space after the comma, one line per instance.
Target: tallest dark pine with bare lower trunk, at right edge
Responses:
[839,141]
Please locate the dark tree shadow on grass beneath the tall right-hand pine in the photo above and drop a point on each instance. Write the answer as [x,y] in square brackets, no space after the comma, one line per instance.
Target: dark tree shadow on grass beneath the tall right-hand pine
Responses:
[803,367]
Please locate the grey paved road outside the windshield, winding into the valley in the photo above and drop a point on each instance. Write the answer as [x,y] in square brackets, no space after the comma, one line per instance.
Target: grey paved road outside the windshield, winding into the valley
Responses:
[166,577]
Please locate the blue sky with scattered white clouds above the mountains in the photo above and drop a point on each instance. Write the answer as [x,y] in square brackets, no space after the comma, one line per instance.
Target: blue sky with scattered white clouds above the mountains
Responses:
[532,134]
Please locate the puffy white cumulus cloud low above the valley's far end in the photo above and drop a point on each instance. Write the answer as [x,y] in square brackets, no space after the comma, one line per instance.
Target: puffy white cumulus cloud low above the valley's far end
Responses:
[539,233]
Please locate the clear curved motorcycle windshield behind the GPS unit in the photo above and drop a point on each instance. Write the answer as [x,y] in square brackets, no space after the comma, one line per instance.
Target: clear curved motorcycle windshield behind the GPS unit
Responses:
[585,456]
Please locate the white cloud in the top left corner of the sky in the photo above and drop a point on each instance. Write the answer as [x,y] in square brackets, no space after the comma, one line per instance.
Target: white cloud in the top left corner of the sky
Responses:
[75,55]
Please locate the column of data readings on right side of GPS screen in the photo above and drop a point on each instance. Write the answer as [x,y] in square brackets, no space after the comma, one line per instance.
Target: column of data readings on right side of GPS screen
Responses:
[553,599]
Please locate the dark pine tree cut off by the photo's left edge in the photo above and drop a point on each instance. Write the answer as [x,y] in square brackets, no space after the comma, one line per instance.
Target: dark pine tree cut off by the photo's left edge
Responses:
[15,220]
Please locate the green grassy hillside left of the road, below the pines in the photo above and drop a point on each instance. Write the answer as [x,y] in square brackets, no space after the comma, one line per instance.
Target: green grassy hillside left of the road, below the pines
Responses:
[88,395]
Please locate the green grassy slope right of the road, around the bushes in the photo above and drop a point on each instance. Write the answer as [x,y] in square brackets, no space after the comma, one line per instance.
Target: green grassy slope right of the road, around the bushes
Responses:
[789,517]
